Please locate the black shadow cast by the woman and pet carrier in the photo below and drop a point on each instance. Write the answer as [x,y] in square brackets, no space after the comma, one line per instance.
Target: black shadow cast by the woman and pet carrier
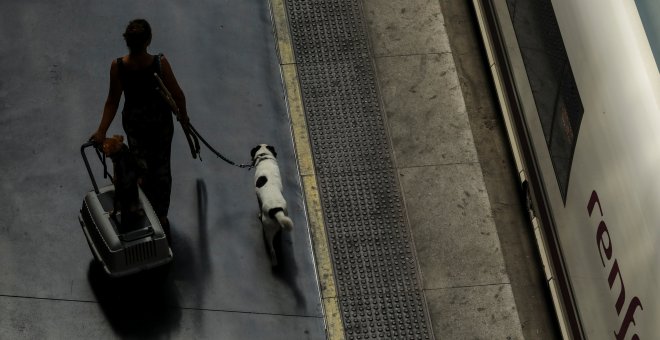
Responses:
[146,304]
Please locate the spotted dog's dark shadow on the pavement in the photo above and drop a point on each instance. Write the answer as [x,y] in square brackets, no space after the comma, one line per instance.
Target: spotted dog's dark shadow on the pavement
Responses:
[286,269]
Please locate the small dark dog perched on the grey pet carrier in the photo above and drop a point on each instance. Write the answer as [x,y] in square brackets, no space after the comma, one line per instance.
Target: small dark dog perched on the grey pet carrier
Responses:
[126,180]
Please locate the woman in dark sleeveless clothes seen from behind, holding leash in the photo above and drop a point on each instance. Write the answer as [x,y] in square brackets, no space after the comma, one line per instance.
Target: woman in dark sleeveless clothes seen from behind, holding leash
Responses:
[146,117]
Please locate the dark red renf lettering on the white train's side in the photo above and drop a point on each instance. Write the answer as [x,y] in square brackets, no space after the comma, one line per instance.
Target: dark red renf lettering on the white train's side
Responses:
[604,247]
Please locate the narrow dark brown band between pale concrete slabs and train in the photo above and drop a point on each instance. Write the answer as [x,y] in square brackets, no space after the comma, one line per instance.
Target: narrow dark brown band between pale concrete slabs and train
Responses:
[524,267]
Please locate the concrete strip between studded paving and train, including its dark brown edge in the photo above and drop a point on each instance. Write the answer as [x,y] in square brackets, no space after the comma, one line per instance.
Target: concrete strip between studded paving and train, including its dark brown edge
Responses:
[482,274]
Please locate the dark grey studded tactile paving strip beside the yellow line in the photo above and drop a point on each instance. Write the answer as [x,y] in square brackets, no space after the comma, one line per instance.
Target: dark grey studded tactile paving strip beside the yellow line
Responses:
[377,280]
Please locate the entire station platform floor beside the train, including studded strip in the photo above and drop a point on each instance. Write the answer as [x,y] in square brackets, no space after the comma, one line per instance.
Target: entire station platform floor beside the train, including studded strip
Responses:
[398,176]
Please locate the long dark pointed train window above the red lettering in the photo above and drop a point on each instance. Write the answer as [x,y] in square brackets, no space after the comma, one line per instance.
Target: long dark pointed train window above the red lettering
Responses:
[551,78]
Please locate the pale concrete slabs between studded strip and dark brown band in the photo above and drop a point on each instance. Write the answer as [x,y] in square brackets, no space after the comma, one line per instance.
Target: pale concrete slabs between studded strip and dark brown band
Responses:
[465,280]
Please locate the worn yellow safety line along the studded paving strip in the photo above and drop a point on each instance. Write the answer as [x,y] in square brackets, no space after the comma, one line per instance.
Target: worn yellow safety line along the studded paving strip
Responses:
[333,320]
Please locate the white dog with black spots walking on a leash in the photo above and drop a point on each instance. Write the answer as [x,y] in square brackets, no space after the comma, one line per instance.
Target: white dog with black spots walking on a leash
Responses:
[272,205]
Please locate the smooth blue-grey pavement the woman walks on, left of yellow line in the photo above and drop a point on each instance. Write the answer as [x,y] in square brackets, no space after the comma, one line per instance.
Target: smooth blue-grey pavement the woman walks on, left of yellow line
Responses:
[55,64]
